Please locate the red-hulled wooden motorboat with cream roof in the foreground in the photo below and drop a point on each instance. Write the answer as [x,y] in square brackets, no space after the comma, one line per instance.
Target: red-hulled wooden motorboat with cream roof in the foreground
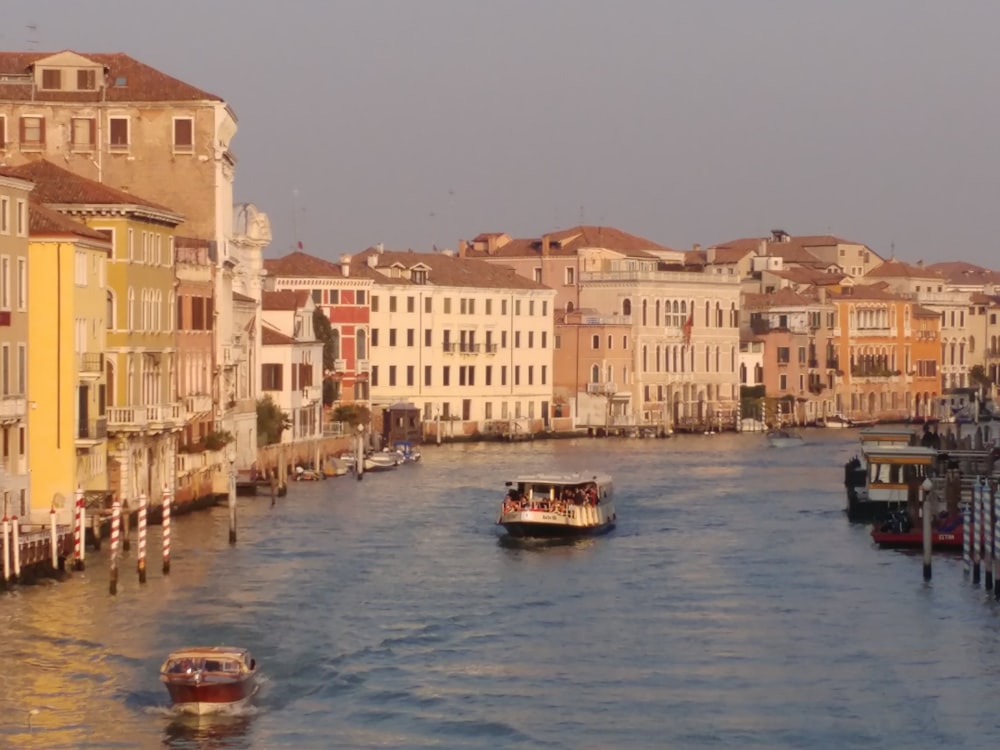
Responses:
[209,679]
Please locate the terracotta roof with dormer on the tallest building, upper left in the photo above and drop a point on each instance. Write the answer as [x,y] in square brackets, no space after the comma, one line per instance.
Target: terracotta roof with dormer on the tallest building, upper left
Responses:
[128,80]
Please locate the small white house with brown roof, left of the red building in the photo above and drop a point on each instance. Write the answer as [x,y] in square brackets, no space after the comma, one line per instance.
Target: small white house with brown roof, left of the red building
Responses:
[292,362]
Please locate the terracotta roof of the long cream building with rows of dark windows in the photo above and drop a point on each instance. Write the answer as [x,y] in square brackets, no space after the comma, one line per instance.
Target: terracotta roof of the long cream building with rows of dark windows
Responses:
[444,270]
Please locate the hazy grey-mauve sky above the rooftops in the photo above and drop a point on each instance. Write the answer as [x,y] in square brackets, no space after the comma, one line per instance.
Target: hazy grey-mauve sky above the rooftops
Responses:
[418,122]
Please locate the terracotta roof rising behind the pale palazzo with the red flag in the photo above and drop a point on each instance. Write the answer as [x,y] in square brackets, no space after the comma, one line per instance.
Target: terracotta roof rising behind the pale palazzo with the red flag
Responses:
[568,242]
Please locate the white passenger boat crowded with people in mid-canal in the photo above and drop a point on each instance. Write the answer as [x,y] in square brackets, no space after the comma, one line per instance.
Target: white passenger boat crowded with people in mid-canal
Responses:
[558,505]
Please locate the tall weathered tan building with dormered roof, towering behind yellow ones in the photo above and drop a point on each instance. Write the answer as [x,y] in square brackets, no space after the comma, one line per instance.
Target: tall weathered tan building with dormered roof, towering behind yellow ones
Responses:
[112,119]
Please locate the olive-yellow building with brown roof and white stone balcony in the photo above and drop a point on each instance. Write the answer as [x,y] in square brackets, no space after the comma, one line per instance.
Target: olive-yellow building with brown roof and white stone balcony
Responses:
[144,415]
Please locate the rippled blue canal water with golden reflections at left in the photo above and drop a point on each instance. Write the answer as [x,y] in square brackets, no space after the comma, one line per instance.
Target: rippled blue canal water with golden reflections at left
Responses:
[733,606]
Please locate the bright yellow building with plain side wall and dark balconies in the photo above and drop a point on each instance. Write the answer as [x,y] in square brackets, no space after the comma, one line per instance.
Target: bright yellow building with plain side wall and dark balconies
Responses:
[66,336]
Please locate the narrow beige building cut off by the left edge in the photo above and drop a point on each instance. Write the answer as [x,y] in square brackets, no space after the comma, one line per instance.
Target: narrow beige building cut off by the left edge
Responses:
[14,391]
